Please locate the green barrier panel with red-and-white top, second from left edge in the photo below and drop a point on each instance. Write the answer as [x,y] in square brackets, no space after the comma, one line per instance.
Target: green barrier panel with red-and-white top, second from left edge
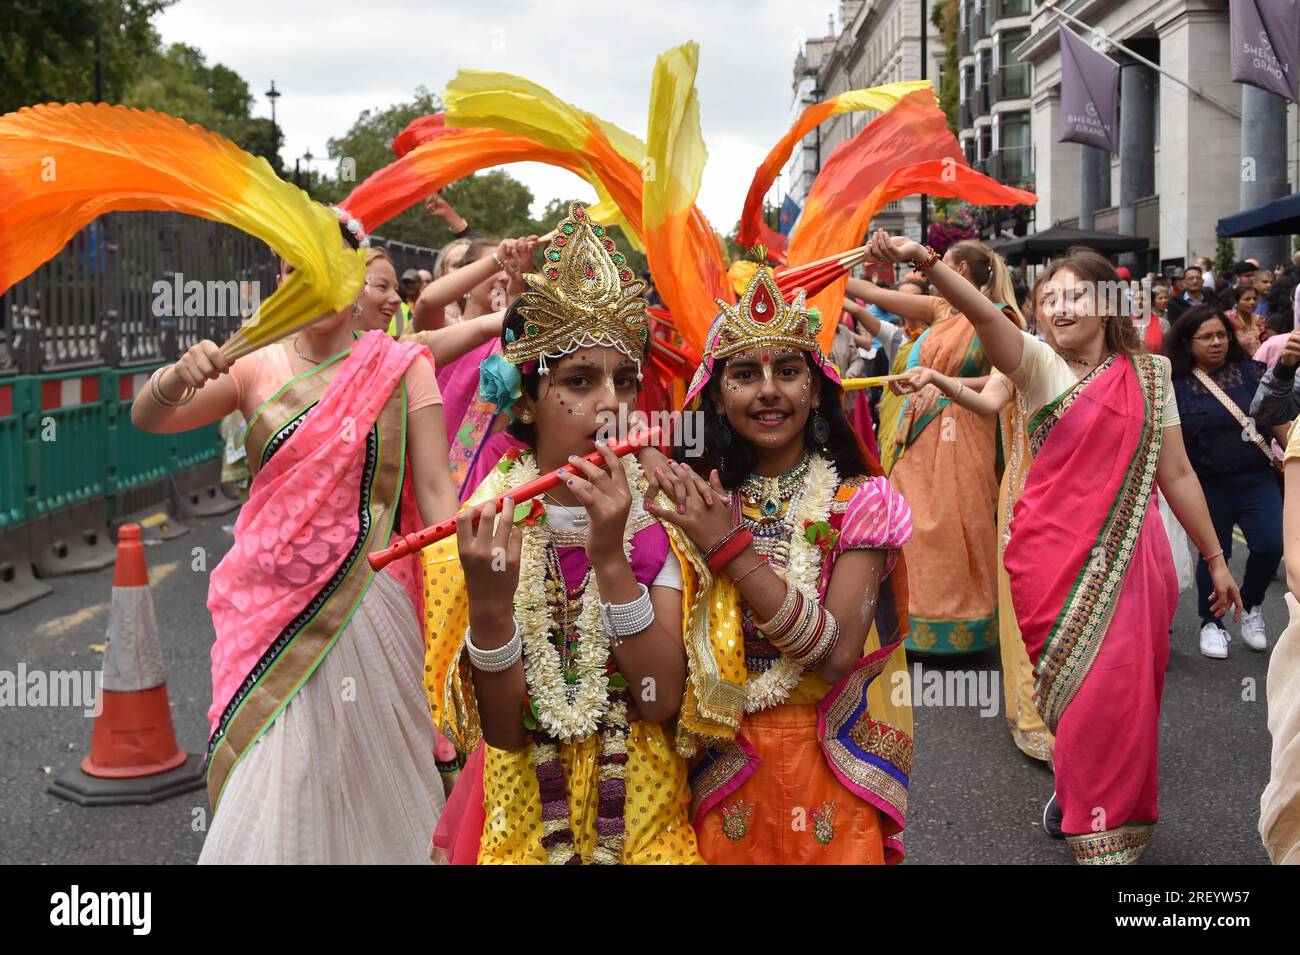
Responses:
[67,440]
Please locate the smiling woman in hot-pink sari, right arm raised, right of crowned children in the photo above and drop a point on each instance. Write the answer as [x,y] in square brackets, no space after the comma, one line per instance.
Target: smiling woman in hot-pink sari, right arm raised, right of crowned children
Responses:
[1093,576]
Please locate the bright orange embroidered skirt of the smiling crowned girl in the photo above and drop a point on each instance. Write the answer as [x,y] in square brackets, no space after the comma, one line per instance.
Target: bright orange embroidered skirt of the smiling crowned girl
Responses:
[792,811]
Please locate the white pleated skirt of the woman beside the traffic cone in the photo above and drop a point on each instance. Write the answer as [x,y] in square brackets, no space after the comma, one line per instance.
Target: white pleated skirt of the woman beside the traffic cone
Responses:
[346,774]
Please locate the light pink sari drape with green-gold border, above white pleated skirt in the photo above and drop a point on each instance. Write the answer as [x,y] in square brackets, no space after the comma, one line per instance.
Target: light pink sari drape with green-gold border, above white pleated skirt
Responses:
[330,487]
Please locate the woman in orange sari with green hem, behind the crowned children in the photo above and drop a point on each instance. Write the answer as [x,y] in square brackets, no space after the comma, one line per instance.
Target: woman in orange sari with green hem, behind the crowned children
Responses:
[942,458]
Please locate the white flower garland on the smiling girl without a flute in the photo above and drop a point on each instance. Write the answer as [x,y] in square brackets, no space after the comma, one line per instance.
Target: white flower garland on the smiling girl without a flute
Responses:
[812,503]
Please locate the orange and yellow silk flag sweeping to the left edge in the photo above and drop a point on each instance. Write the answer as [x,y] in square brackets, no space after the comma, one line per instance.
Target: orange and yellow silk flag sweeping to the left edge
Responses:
[62,166]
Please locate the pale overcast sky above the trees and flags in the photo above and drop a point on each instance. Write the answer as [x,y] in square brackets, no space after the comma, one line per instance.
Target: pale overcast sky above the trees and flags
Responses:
[333,59]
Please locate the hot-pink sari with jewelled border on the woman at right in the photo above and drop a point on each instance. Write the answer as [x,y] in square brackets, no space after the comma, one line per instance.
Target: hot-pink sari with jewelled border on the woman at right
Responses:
[1095,594]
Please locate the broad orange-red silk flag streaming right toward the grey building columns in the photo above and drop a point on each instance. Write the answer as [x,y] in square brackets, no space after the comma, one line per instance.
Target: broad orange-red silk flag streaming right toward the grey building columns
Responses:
[905,151]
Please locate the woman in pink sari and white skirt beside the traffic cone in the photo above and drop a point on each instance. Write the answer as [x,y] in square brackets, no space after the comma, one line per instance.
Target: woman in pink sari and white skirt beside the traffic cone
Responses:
[322,745]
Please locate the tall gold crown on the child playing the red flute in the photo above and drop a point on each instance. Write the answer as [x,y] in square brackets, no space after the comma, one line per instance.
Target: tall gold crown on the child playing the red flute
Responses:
[586,296]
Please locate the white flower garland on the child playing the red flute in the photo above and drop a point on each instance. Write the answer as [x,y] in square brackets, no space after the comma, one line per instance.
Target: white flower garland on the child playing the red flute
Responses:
[566,713]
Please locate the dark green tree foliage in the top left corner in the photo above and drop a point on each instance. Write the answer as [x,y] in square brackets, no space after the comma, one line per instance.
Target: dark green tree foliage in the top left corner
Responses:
[50,49]
